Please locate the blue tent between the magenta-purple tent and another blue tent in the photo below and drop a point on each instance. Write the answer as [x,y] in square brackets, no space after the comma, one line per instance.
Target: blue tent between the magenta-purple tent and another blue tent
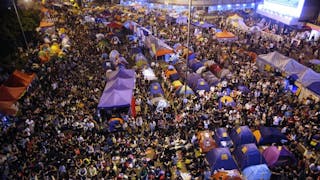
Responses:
[248,155]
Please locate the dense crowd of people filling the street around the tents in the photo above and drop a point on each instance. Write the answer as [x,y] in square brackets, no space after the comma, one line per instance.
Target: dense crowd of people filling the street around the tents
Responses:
[61,135]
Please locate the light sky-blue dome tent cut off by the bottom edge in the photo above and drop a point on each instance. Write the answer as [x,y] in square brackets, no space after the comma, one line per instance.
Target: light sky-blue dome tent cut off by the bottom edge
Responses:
[260,171]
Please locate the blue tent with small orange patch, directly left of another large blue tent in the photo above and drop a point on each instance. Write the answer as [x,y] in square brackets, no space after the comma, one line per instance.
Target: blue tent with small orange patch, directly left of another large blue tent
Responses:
[219,158]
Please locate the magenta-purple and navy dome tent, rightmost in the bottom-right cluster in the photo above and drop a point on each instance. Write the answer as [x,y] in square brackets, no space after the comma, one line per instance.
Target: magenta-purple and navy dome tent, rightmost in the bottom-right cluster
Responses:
[278,156]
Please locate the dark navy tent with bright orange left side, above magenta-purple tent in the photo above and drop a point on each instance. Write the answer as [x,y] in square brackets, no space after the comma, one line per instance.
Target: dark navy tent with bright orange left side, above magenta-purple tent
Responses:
[269,135]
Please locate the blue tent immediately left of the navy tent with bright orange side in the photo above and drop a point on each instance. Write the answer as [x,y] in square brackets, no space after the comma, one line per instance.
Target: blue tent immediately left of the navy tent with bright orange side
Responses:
[242,135]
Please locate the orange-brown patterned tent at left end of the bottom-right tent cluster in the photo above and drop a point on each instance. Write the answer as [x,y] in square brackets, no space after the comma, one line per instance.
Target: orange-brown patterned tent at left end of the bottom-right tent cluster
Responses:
[206,142]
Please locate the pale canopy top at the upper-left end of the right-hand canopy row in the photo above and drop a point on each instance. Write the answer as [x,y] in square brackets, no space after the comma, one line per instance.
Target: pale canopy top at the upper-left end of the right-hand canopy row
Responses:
[272,60]
